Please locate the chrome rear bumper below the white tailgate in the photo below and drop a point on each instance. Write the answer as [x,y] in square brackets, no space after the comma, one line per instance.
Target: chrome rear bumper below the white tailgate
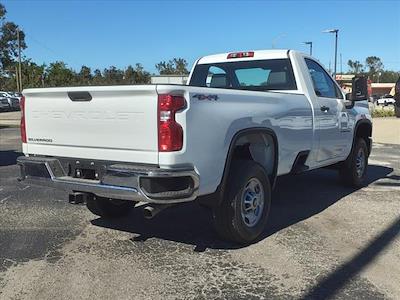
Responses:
[119,181]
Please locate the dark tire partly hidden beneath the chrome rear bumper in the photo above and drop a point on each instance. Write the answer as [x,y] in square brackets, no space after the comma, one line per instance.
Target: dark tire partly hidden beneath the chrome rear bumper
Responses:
[108,208]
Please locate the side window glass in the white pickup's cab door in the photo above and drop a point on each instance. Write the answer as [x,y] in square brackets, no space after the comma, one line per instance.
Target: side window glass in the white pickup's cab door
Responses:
[323,83]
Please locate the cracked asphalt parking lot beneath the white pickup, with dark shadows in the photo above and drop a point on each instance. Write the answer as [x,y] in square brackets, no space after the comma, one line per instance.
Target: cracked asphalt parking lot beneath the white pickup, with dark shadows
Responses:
[323,240]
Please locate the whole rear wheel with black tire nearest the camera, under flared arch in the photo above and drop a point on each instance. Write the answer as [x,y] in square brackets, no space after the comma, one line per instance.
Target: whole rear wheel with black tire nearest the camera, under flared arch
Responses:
[243,212]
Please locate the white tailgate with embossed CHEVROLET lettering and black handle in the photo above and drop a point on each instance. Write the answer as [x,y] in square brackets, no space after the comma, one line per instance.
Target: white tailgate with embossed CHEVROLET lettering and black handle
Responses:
[118,123]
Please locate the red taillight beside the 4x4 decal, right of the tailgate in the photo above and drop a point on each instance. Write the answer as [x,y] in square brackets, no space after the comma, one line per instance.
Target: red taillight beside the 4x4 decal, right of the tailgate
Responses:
[170,133]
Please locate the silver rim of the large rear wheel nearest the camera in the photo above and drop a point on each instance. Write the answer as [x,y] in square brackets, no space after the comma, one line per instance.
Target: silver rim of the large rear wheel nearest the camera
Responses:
[252,202]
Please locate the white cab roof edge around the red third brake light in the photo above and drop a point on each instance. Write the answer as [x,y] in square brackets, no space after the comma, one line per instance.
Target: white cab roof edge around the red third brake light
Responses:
[258,55]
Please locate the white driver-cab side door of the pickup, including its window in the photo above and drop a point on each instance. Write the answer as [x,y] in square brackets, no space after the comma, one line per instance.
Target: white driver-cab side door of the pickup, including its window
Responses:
[332,120]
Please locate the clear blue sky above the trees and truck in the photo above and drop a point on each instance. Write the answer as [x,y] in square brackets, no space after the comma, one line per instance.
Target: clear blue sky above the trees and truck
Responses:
[99,34]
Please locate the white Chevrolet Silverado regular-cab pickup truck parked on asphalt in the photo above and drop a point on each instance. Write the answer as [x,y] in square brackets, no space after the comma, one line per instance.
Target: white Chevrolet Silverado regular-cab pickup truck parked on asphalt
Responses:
[243,119]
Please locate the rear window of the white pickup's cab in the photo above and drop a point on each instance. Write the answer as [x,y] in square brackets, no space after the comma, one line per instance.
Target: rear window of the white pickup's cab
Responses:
[259,75]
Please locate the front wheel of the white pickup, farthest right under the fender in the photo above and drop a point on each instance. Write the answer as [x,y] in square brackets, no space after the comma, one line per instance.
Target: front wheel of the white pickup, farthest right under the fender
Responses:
[354,169]
